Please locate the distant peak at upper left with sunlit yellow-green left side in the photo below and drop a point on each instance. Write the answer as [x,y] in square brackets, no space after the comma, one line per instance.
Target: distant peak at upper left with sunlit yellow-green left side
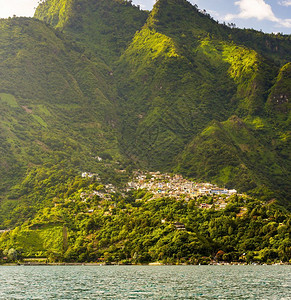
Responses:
[104,26]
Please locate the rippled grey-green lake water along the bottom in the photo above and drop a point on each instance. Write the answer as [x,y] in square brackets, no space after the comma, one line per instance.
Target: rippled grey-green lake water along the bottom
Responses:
[145,282]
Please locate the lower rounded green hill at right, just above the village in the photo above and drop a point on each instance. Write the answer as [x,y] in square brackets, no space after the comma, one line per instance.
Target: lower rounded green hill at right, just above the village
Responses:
[238,153]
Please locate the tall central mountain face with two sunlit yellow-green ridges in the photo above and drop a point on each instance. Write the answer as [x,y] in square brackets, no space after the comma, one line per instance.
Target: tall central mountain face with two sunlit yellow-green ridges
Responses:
[241,69]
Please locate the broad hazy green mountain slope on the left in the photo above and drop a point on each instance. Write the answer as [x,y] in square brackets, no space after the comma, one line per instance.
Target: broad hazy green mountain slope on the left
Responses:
[56,106]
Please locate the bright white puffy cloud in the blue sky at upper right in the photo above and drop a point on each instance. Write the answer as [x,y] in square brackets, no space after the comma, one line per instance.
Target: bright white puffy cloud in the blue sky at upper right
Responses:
[259,10]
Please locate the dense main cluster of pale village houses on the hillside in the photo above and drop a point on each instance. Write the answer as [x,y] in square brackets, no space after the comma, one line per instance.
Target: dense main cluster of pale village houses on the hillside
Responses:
[175,186]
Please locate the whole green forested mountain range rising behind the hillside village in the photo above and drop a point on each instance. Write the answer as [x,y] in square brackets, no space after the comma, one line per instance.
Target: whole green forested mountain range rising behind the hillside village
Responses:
[102,86]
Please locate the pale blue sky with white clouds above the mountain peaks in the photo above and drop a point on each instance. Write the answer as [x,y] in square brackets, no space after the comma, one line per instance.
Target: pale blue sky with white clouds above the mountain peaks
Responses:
[266,15]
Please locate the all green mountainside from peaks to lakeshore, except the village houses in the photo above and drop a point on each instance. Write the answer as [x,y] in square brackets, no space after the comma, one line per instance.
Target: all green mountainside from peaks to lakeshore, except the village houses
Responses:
[101,86]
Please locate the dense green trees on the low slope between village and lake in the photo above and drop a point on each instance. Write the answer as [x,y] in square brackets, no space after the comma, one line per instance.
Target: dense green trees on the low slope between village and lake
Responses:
[84,227]
